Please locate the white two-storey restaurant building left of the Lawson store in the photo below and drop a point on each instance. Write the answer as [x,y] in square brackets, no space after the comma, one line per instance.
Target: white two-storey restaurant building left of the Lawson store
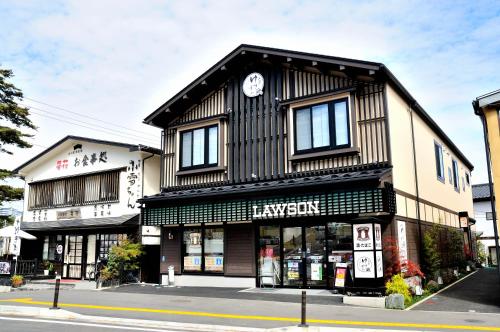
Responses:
[80,198]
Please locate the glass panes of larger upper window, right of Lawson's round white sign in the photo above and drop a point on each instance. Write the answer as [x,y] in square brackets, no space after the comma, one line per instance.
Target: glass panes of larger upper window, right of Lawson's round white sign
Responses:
[322,127]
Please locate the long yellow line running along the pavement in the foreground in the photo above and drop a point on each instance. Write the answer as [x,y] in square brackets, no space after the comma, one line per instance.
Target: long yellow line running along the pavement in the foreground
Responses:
[258,317]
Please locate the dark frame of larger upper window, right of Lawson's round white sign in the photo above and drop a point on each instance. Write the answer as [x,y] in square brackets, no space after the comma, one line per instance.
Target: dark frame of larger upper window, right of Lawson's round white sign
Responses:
[331,126]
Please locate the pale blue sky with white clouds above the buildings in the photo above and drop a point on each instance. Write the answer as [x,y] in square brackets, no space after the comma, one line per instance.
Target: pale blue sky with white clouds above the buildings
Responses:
[112,60]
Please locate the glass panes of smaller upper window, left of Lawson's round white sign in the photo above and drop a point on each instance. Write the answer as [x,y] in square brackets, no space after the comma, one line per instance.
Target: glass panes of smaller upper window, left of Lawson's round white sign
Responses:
[199,147]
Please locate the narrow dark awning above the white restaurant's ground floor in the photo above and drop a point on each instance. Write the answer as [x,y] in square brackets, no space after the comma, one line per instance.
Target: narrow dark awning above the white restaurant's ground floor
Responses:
[90,223]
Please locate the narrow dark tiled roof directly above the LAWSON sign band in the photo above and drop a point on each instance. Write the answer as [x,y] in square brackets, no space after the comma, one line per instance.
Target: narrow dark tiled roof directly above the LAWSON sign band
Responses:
[314,180]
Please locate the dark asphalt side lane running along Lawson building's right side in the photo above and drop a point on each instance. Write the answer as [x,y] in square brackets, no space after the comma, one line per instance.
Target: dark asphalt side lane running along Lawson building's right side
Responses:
[478,293]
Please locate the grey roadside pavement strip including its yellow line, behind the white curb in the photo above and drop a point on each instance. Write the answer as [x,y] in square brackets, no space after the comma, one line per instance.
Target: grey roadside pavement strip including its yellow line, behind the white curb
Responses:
[248,313]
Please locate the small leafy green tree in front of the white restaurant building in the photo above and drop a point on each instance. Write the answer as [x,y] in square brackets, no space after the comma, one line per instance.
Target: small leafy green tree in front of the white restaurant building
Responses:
[122,257]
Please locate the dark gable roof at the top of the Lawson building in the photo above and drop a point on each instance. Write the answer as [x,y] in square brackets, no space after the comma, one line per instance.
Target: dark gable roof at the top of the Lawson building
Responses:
[219,72]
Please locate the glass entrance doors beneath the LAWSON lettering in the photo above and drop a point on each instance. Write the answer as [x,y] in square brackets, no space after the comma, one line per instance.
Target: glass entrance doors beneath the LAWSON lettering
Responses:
[304,253]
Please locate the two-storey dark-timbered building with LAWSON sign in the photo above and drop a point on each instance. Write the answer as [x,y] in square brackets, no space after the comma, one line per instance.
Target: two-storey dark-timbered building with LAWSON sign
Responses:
[283,168]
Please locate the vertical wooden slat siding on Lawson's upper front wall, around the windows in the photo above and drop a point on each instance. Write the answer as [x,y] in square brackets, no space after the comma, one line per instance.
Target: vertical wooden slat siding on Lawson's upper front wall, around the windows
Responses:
[257,128]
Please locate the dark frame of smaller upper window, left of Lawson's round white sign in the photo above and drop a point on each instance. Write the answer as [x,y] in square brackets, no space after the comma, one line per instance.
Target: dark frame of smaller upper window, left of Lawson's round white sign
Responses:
[206,163]
